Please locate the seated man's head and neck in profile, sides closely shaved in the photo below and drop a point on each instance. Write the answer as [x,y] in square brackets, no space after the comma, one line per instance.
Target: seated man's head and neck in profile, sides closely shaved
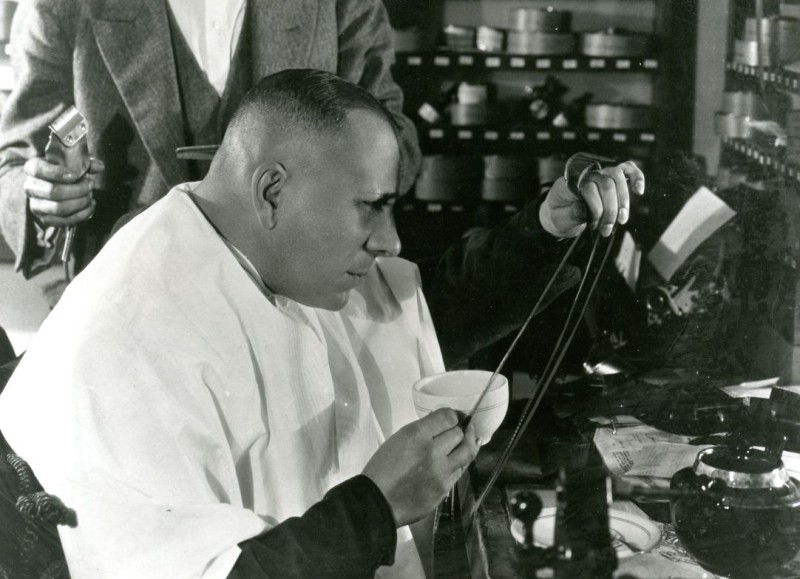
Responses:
[304,185]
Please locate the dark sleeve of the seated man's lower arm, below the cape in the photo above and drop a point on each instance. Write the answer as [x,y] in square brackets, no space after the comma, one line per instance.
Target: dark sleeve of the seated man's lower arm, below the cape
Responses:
[349,533]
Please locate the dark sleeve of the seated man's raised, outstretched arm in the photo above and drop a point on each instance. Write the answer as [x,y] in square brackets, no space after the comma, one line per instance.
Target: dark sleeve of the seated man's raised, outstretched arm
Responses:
[484,286]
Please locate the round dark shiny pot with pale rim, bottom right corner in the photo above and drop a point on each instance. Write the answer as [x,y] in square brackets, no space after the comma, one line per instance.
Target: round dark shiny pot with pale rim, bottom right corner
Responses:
[742,518]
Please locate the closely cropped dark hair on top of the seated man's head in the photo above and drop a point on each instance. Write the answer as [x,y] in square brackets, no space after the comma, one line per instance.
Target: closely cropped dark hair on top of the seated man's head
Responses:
[305,99]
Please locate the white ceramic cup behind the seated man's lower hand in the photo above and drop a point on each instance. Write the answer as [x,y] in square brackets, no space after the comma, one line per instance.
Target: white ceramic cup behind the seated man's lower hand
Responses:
[459,390]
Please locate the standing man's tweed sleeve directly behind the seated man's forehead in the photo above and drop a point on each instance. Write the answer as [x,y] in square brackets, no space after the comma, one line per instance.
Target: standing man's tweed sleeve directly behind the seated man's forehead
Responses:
[366,54]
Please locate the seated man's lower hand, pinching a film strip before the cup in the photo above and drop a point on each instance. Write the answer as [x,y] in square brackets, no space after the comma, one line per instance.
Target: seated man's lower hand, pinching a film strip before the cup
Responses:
[420,463]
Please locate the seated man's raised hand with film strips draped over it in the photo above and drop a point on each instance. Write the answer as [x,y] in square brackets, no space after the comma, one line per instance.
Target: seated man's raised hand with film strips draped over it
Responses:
[606,193]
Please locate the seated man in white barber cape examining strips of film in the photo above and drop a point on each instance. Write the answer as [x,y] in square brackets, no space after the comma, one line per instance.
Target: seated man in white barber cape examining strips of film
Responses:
[226,389]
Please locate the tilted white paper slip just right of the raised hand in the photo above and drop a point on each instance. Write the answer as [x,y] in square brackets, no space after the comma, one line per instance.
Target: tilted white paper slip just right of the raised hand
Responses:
[697,220]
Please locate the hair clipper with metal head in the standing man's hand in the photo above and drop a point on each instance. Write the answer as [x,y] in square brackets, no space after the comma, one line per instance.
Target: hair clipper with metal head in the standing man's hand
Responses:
[67,147]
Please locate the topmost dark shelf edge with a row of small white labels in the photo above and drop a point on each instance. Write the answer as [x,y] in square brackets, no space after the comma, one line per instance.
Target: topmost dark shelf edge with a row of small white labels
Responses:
[475,60]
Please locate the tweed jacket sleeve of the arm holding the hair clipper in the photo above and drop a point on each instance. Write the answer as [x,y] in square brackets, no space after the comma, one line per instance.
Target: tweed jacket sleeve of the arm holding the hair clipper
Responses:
[42,58]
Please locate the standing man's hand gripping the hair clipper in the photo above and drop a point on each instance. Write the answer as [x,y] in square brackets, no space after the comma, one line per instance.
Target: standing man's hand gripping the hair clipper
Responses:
[57,197]
